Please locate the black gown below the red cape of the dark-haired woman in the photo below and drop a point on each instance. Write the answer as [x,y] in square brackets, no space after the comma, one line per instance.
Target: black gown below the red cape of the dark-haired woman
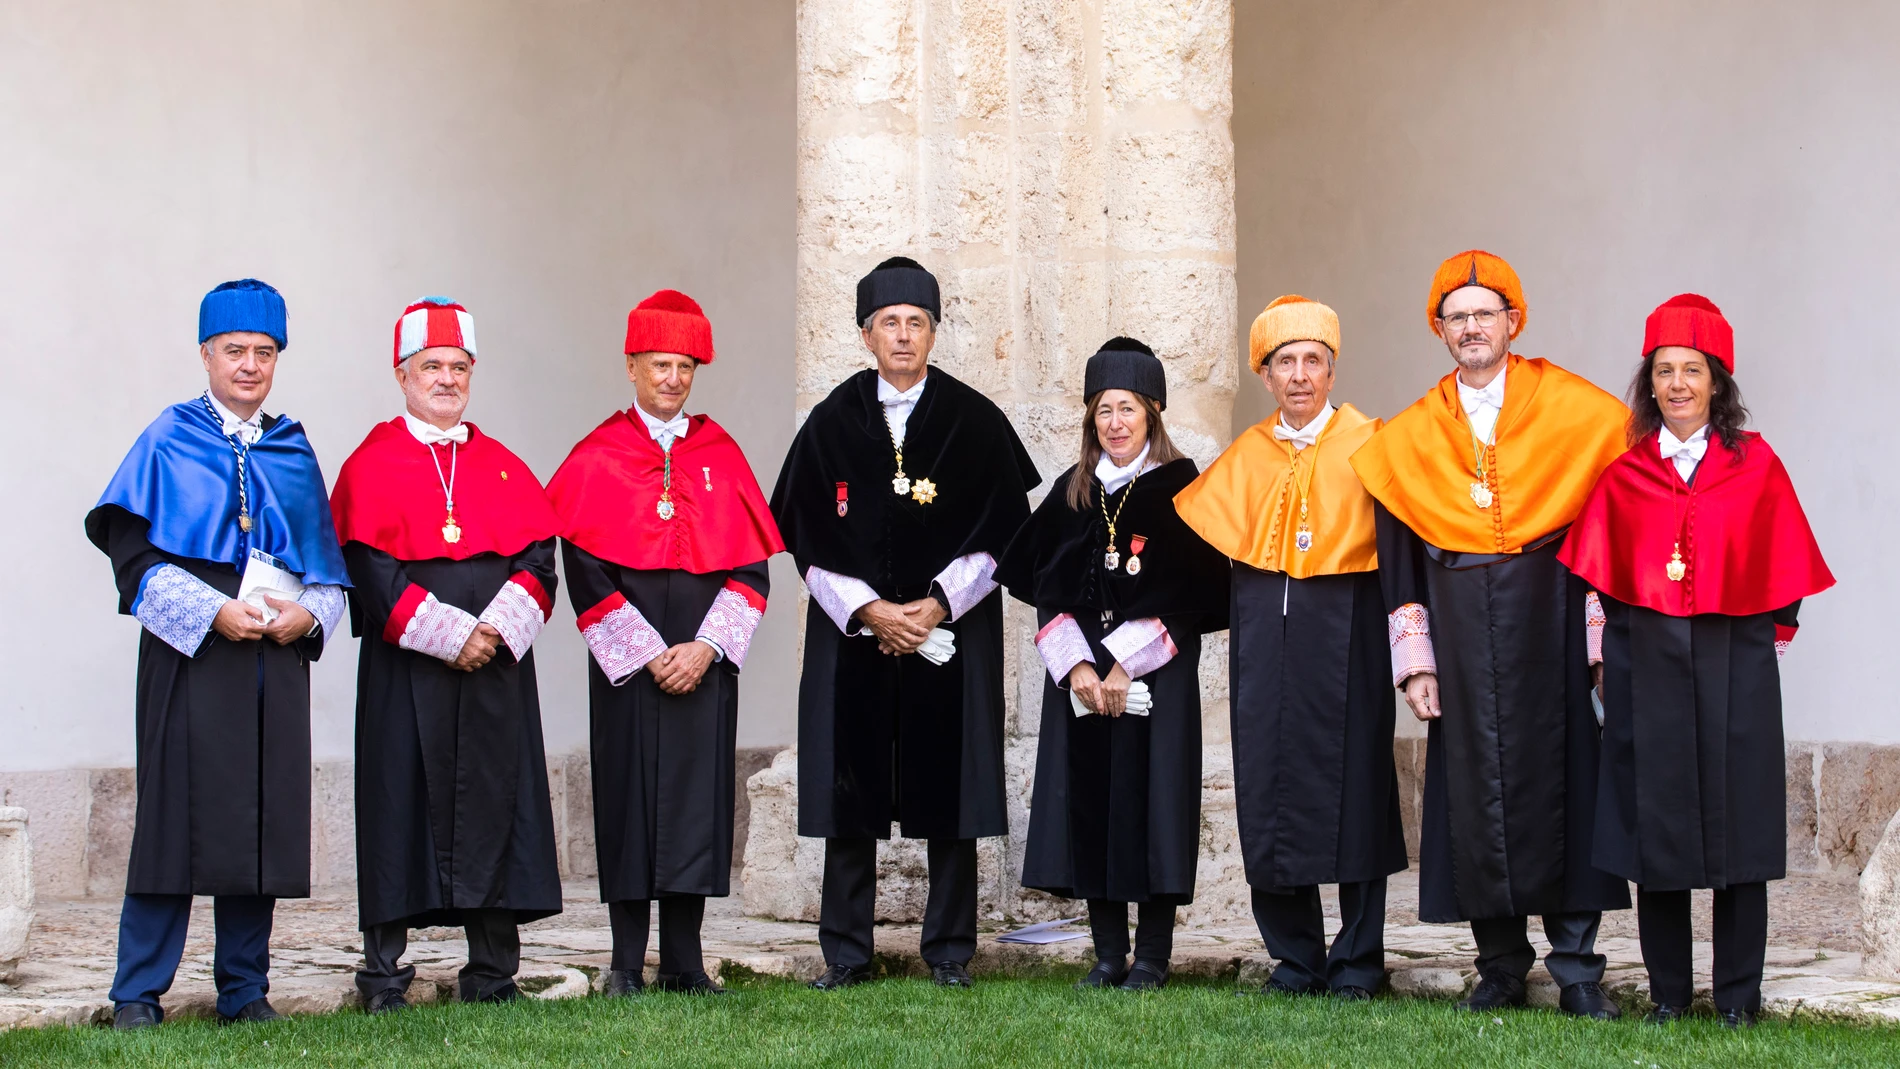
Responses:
[1694,785]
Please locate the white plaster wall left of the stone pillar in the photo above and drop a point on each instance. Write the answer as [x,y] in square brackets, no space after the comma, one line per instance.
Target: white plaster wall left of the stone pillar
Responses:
[544,162]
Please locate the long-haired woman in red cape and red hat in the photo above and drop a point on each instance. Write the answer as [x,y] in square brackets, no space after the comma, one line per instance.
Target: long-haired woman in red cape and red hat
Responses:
[1700,557]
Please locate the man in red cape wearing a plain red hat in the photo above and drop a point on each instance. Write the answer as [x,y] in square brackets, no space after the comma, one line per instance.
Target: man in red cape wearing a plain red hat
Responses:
[666,540]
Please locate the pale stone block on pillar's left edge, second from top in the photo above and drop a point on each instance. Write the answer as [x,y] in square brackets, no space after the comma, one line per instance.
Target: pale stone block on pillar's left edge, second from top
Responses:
[858,195]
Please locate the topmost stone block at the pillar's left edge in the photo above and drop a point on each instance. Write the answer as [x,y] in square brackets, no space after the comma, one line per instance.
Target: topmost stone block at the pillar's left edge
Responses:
[858,56]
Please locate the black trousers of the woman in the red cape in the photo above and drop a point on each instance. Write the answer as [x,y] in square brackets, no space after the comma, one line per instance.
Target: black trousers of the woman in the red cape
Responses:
[1741,947]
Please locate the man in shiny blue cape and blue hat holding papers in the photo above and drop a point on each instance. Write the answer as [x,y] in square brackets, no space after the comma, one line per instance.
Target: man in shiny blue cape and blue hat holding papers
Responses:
[221,542]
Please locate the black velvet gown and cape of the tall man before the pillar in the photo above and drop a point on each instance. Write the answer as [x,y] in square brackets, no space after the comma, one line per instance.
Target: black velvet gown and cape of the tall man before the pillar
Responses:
[883,738]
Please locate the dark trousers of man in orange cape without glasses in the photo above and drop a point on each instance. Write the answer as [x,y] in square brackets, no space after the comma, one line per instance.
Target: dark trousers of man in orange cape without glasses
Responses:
[1295,929]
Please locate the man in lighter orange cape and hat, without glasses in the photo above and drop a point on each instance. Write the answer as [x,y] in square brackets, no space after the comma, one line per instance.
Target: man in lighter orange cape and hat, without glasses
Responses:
[1312,705]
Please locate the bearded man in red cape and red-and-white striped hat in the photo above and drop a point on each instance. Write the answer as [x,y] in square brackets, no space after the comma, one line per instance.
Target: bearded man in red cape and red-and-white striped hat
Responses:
[451,552]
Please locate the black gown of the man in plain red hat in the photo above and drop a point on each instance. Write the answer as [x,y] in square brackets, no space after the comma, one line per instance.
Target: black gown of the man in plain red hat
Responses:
[662,764]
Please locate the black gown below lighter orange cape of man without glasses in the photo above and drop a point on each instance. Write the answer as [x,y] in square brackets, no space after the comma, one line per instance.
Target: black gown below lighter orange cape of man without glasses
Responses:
[1312,719]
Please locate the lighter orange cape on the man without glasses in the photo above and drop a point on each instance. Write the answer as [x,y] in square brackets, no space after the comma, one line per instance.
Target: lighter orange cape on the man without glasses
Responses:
[1247,502]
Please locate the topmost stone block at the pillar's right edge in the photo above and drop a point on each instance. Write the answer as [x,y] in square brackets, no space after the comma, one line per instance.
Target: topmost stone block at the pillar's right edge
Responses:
[1169,54]
